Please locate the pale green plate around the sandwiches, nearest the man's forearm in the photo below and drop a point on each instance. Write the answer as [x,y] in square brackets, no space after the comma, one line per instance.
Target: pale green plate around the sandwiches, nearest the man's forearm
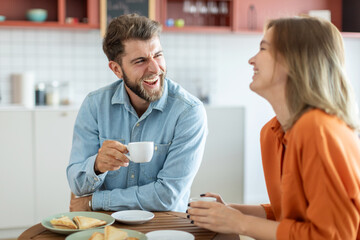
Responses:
[102,216]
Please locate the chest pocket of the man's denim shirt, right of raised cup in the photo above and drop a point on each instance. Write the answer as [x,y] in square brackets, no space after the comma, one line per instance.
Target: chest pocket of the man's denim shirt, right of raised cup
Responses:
[150,170]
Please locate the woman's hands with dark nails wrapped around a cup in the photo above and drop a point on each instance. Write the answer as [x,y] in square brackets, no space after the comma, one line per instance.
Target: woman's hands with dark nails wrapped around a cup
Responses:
[215,216]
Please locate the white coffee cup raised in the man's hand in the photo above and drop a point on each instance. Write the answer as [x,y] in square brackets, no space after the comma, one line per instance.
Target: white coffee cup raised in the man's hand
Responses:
[140,152]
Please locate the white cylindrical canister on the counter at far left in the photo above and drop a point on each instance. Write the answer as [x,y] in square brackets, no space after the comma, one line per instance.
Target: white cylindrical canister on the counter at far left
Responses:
[23,89]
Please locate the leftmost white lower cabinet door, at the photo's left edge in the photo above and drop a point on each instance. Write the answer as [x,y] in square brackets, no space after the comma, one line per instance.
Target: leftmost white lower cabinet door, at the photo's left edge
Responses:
[17,170]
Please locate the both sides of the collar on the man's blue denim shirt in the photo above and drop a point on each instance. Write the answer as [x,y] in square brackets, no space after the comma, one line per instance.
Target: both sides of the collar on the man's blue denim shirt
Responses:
[121,97]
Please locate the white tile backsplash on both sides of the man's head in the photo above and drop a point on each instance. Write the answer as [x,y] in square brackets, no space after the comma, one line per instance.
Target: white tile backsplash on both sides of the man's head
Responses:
[76,56]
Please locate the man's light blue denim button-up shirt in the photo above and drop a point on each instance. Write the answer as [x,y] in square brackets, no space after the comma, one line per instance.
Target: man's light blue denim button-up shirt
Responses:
[176,123]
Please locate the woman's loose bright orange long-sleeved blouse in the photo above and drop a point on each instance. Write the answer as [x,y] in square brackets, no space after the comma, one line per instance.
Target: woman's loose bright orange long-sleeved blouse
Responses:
[312,174]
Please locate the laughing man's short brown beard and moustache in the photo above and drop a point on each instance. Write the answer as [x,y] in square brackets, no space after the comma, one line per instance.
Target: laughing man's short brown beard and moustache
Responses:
[140,91]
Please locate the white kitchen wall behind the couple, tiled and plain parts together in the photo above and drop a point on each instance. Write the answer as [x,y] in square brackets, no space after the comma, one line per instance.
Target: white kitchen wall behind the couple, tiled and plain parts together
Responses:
[215,63]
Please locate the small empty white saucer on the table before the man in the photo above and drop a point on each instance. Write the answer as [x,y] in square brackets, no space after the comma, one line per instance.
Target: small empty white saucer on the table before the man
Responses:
[133,216]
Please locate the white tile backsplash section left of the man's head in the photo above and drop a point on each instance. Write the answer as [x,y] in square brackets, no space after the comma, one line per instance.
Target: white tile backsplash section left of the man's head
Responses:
[54,55]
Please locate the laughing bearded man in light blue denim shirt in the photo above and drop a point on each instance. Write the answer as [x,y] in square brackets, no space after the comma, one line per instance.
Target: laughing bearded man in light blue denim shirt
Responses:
[142,106]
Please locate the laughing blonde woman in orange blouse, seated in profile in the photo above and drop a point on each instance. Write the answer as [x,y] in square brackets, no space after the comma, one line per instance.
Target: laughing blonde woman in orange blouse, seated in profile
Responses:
[310,150]
